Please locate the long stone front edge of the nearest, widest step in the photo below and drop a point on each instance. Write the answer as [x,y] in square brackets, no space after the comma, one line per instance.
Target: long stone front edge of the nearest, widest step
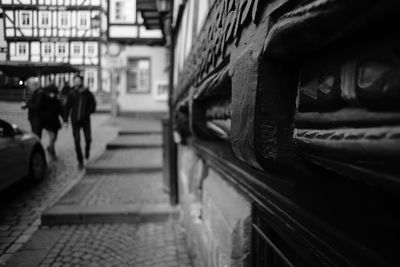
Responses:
[114,213]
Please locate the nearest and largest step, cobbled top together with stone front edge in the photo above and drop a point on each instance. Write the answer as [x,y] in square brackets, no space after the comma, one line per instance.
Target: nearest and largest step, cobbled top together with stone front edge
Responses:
[113,198]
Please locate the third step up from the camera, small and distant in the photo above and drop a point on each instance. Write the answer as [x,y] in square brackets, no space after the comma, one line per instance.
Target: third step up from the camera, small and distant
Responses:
[136,141]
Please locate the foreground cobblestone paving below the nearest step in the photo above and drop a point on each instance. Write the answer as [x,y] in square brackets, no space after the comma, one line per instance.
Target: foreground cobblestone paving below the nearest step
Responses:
[119,245]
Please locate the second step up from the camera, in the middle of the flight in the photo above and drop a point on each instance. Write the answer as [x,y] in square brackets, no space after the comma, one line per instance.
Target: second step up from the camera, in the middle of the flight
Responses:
[139,160]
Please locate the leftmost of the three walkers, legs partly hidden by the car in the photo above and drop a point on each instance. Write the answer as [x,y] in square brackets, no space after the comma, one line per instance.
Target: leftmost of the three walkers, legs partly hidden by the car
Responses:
[35,104]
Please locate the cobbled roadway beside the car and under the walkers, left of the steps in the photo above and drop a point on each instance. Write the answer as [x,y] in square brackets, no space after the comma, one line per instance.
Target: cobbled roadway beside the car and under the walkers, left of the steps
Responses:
[22,205]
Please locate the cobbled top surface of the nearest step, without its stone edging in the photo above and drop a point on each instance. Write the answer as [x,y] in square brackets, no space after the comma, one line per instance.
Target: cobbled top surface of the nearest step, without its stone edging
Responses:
[127,189]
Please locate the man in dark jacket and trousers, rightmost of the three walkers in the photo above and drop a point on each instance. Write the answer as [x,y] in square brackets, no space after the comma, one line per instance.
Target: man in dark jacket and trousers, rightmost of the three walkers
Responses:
[80,105]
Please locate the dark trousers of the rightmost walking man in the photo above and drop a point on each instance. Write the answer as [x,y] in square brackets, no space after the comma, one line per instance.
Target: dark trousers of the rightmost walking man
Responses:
[76,129]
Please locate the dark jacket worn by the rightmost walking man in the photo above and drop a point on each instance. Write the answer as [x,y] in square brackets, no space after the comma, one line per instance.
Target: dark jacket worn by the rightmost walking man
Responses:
[80,105]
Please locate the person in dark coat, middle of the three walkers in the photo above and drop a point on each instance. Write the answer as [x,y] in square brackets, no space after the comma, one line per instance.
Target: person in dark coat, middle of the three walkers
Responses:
[53,111]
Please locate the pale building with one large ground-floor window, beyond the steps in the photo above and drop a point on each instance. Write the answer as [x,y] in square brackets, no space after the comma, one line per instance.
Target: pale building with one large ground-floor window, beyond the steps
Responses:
[138,58]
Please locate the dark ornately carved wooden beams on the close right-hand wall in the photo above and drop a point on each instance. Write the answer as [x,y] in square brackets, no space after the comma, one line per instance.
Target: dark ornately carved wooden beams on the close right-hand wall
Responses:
[253,58]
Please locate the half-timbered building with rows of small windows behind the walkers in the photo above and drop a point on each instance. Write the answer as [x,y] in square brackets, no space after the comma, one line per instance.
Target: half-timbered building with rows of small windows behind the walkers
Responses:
[57,31]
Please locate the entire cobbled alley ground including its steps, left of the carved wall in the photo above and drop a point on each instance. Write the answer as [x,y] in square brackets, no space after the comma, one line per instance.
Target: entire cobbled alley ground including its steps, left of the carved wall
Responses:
[116,213]
